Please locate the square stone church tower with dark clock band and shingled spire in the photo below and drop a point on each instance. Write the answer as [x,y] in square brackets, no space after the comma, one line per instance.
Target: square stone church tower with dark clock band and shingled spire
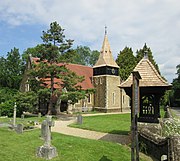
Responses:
[106,80]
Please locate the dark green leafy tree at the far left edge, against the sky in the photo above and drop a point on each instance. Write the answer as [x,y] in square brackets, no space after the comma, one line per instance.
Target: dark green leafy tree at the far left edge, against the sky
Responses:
[11,70]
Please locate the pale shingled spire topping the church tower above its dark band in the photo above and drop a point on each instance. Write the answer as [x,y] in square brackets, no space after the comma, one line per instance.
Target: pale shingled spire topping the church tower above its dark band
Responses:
[106,58]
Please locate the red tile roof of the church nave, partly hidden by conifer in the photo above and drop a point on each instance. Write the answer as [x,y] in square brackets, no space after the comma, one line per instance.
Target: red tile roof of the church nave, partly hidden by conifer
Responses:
[80,70]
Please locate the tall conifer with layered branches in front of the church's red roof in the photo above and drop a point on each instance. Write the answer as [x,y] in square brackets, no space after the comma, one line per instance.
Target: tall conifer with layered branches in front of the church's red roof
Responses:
[54,50]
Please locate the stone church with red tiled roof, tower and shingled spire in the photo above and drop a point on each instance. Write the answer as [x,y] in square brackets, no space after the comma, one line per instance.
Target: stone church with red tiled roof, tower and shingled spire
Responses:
[103,77]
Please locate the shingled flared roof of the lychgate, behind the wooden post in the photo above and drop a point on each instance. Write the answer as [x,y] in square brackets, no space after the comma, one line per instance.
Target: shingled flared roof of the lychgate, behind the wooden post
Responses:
[150,76]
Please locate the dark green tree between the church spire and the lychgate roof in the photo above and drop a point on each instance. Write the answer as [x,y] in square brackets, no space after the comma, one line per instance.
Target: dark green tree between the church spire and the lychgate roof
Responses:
[126,62]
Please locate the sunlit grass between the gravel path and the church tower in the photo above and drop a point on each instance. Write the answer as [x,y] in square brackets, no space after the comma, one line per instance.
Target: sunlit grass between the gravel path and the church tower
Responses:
[114,124]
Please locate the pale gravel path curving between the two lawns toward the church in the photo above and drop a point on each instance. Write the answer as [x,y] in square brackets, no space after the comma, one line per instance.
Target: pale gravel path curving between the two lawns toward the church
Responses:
[61,126]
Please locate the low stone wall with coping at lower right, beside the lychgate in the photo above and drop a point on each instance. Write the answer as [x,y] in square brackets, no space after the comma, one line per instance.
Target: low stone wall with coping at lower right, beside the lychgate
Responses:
[155,145]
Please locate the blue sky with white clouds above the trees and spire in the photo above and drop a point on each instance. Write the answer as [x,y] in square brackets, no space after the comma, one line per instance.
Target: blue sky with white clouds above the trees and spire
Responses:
[130,23]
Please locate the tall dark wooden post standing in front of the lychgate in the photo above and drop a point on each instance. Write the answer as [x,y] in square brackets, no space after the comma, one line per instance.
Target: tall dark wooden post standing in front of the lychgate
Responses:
[134,117]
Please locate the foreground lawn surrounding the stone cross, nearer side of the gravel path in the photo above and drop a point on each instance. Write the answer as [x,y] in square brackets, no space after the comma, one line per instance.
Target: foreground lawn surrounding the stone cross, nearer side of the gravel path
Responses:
[22,147]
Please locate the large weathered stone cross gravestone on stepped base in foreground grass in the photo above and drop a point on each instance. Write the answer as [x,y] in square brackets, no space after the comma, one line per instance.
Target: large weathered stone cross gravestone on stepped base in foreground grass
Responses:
[47,151]
